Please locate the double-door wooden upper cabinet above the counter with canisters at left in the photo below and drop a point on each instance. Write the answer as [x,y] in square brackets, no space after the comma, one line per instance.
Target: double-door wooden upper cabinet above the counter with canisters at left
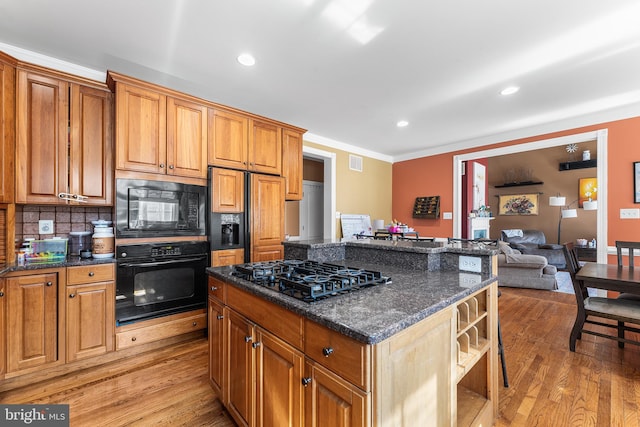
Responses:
[64,140]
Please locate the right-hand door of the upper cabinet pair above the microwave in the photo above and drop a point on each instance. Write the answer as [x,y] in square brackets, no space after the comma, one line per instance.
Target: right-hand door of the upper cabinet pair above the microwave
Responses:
[186,138]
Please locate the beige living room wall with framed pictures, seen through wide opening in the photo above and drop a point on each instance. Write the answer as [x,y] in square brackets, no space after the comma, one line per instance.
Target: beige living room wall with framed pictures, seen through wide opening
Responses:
[543,166]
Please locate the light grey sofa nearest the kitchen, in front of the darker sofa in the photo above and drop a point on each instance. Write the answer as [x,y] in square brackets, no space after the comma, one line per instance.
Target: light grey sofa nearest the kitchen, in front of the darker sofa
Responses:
[519,270]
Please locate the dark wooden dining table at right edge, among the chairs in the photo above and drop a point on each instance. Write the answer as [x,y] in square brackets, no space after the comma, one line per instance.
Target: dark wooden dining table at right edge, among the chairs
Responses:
[610,277]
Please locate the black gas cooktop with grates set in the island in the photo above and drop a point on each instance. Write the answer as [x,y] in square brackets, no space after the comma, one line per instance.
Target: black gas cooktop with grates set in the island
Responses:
[309,280]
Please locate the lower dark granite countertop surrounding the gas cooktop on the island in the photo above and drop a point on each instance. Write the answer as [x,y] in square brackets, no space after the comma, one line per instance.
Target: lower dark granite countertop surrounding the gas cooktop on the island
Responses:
[372,314]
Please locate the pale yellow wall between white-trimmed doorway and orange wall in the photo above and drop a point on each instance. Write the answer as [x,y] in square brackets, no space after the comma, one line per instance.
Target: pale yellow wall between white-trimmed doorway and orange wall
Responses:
[364,193]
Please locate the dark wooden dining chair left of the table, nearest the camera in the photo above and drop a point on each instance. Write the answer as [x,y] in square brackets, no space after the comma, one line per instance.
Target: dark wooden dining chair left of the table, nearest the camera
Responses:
[620,310]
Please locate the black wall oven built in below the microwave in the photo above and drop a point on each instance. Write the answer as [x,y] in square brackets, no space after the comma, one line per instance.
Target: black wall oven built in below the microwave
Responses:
[159,279]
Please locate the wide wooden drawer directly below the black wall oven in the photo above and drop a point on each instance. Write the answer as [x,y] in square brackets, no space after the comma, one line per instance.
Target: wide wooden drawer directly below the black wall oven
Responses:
[159,331]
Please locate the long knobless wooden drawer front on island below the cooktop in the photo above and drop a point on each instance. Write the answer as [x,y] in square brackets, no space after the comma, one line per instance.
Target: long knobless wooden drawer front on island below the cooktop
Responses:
[283,323]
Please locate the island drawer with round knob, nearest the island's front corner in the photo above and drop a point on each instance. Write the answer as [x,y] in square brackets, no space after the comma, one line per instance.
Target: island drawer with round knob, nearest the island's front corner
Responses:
[345,356]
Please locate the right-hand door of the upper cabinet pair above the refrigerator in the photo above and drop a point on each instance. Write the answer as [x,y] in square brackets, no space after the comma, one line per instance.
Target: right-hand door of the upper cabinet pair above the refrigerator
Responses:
[265,148]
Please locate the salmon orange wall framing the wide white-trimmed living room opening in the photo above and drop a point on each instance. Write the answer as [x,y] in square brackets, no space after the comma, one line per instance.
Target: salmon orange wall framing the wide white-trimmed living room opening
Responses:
[433,175]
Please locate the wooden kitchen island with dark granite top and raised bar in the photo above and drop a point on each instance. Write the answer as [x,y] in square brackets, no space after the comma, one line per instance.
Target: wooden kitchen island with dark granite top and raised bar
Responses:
[419,350]
